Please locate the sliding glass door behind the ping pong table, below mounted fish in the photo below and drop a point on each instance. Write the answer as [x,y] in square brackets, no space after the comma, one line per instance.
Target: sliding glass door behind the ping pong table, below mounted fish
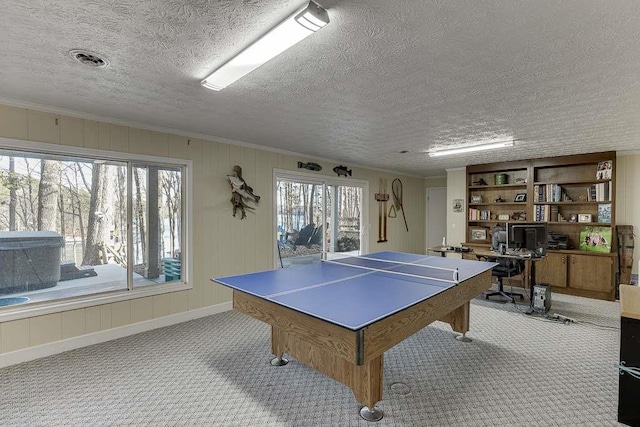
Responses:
[318,218]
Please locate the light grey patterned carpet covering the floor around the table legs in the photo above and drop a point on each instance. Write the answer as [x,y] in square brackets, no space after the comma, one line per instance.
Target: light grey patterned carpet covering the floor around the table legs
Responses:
[518,371]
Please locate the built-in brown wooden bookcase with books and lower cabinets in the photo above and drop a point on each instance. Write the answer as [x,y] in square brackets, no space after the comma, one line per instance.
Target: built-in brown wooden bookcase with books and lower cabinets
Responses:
[574,195]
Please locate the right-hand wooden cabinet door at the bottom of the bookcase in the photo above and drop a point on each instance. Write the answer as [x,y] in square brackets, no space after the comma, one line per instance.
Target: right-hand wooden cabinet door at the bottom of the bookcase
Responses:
[591,273]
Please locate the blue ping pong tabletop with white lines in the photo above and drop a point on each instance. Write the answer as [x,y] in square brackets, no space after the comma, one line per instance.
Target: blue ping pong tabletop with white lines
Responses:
[354,292]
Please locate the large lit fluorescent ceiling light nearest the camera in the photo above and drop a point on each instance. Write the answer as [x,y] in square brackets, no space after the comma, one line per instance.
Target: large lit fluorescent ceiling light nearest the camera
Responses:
[289,32]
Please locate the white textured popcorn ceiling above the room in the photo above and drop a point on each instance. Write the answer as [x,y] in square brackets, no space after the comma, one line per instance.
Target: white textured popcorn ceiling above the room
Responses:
[561,76]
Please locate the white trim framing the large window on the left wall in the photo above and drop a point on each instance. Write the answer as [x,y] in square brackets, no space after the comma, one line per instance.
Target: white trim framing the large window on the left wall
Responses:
[64,304]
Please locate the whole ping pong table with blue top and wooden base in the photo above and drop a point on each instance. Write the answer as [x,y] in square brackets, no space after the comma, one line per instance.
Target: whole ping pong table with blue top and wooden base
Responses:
[340,316]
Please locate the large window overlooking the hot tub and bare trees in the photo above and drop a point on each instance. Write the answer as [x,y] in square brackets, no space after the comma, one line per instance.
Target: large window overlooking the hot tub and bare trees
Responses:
[81,224]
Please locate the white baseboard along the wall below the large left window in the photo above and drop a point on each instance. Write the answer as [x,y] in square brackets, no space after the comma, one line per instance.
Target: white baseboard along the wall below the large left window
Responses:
[49,349]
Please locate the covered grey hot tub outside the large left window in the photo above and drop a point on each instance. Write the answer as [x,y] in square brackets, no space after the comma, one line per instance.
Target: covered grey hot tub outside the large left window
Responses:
[30,260]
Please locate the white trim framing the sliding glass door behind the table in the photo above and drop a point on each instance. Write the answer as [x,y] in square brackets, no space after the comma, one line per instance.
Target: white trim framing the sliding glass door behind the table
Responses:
[323,180]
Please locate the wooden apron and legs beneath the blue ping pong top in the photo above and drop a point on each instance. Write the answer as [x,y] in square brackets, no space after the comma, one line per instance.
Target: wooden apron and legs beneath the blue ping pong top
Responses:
[354,358]
